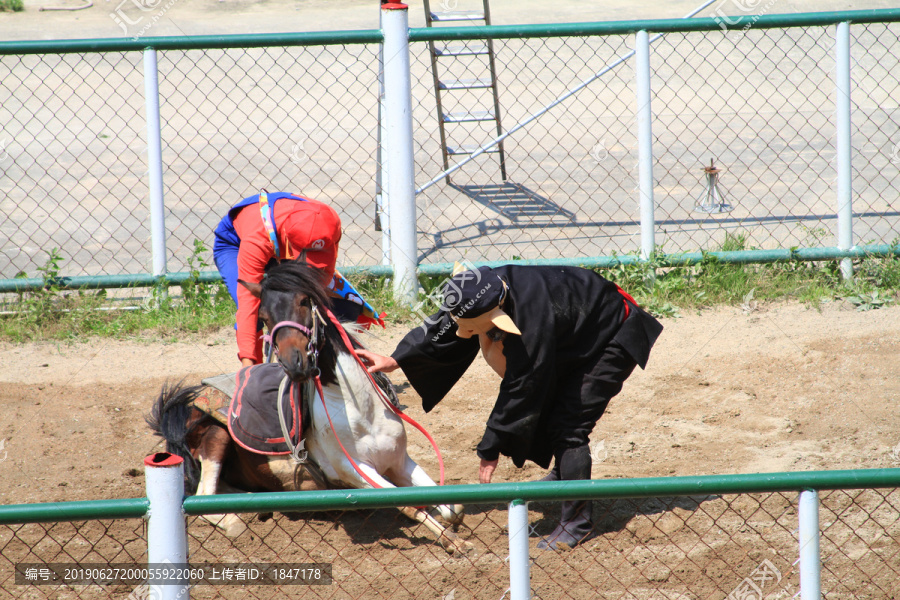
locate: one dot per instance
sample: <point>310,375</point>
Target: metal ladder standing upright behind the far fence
<point>475,54</point>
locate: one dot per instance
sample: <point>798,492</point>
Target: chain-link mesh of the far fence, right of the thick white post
<point>759,103</point>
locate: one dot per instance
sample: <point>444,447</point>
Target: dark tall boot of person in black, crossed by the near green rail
<point>576,522</point>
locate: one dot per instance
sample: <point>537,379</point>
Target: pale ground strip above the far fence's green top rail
<point>204,17</point>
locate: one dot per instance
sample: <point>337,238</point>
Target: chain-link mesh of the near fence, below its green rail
<point>706,547</point>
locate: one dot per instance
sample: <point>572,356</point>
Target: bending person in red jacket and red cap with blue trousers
<point>263,229</point>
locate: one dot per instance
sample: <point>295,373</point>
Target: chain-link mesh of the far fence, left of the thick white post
<point>233,121</point>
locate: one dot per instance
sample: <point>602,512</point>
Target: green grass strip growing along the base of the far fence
<point>664,290</point>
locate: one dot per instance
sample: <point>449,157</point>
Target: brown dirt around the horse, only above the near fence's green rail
<point>783,387</point>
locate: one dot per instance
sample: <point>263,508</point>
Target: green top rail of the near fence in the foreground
<point>464,494</point>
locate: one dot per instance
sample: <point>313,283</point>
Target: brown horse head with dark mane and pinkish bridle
<point>292,305</point>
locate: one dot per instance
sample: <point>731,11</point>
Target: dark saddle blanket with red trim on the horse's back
<point>252,412</point>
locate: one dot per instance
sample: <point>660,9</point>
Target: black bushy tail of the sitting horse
<point>169,418</point>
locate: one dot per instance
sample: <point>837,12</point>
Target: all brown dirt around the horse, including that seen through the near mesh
<point>781,387</point>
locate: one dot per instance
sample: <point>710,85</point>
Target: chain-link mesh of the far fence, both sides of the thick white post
<point>758,101</point>
